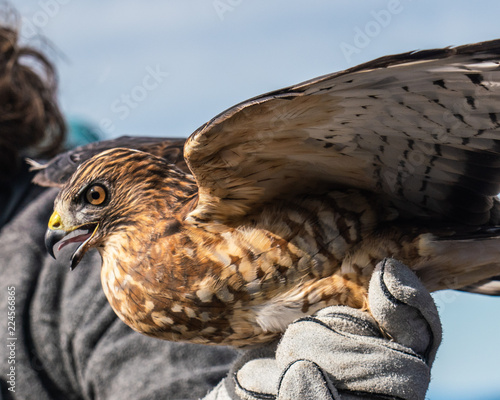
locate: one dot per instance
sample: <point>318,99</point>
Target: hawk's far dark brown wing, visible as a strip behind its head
<point>60,168</point>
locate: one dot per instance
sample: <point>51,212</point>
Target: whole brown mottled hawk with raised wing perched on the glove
<point>284,203</point>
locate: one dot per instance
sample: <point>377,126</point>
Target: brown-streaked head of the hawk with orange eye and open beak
<point>112,191</point>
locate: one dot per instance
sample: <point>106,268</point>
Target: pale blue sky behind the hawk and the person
<point>165,67</point>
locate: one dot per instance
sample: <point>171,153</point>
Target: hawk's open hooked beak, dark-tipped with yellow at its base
<point>60,236</point>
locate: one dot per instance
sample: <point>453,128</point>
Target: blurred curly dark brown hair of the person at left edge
<point>31,123</point>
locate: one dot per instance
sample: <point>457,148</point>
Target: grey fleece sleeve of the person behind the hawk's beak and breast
<point>71,345</point>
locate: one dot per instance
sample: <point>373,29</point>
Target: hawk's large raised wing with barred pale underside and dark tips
<point>422,128</point>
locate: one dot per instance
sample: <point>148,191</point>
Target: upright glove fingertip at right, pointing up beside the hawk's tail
<point>404,308</point>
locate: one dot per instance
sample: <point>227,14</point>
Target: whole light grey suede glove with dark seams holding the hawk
<point>342,353</point>
